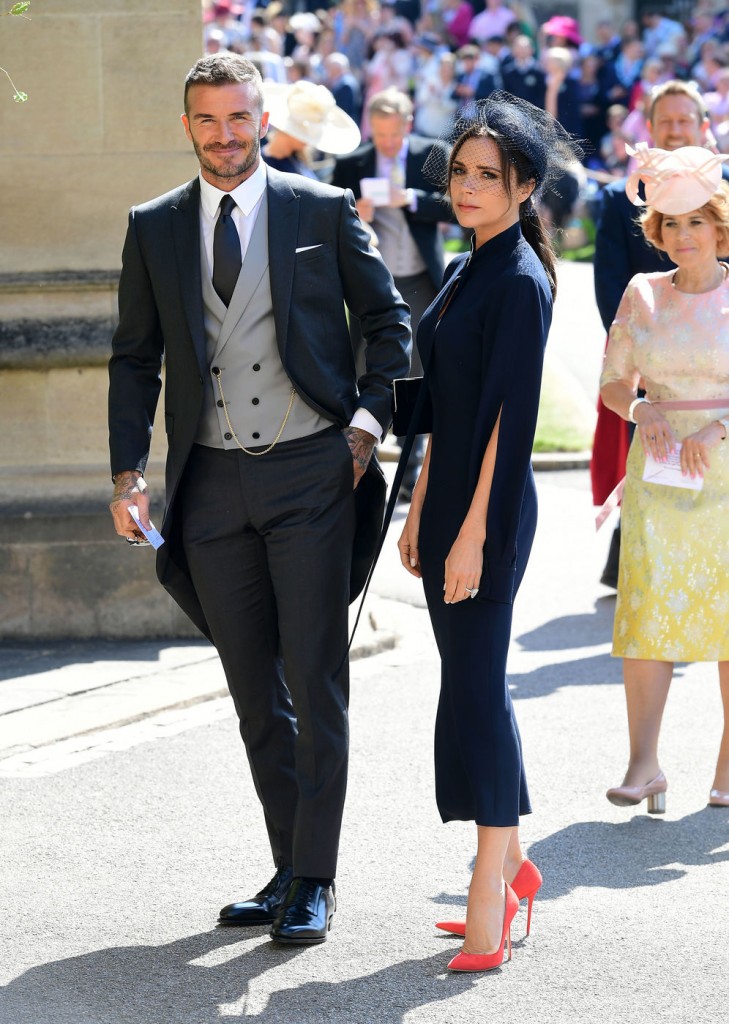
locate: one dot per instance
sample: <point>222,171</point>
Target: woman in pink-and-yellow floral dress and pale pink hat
<point>672,335</point>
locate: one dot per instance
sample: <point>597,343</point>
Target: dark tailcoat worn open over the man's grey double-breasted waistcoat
<point>161,314</point>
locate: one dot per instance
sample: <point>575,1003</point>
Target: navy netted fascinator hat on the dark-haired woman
<point>521,130</point>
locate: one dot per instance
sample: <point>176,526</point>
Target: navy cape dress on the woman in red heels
<point>485,356</point>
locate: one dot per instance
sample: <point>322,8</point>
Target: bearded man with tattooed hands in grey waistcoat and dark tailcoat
<point>240,279</point>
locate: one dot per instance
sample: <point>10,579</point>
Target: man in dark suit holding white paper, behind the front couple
<point>407,227</point>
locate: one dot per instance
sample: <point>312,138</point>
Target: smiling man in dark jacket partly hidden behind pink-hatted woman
<point>677,118</point>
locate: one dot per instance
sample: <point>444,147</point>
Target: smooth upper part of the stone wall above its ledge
<point>101,131</point>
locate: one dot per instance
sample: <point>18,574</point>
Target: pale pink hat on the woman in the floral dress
<point>676,182</point>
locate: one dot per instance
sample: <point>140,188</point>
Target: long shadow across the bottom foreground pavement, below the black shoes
<point>160,986</point>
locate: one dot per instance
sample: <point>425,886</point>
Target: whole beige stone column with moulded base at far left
<point>100,133</point>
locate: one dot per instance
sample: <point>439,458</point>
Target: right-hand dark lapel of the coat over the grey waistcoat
<point>284,206</point>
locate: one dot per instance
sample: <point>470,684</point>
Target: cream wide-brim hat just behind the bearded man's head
<point>310,113</point>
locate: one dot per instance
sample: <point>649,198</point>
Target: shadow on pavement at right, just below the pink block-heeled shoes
<point>631,855</point>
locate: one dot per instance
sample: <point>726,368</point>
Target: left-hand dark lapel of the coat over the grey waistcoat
<point>186,231</point>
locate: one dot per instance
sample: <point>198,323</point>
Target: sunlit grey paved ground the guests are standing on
<point>130,819</point>
